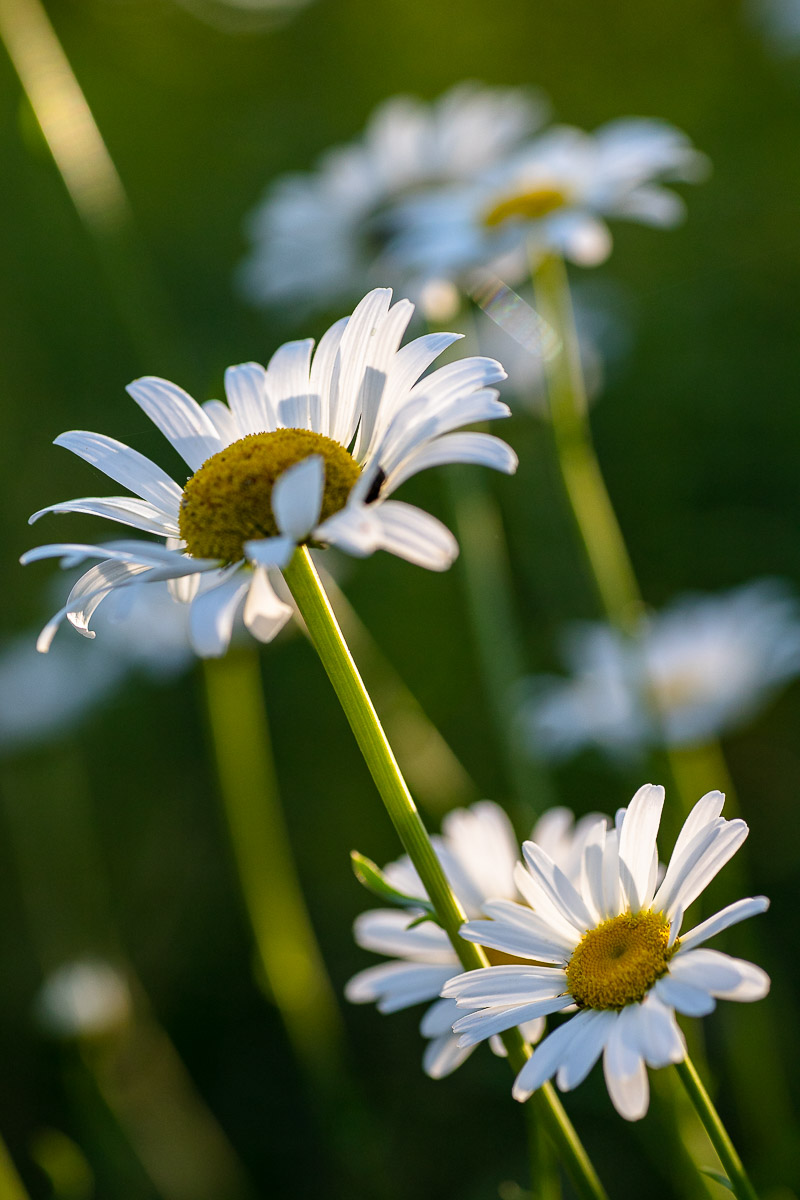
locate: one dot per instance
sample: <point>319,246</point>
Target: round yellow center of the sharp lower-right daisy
<point>619,962</point>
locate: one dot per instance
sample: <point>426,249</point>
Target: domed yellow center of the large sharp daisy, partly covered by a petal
<point>228,501</point>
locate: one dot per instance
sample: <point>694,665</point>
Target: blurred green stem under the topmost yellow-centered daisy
<point>594,514</point>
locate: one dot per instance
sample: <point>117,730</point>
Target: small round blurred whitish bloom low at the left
<point>85,999</point>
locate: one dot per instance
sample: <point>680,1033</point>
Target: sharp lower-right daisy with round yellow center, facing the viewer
<point>616,950</point>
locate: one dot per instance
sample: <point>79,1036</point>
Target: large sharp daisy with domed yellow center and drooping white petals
<point>306,451</point>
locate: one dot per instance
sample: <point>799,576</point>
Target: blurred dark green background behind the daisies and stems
<point>697,431</point>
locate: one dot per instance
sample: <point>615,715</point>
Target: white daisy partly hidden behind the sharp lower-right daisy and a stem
<point>478,850</point>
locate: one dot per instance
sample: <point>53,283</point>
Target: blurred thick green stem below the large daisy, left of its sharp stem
<point>288,953</point>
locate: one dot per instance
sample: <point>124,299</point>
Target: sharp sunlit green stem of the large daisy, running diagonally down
<point>328,641</point>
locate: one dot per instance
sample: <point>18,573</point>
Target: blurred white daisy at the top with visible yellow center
<point>555,195</point>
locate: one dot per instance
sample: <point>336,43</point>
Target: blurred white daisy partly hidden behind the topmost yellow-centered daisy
<point>318,237</point>
